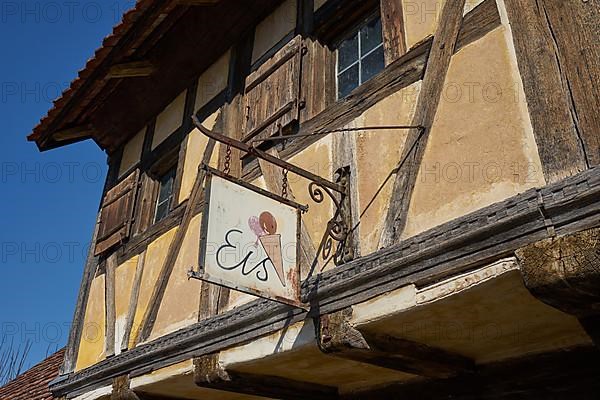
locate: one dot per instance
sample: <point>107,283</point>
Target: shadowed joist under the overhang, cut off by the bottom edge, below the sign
<point>209,373</point>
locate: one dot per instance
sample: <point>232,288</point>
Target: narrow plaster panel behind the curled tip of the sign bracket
<point>196,143</point>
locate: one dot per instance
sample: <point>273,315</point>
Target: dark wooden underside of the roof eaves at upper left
<point>157,51</point>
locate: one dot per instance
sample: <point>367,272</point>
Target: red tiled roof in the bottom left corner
<point>33,384</point>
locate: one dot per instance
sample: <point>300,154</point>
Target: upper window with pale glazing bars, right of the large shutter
<point>359,57</point>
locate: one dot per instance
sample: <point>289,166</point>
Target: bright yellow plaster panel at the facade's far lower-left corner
<point>91,347</point>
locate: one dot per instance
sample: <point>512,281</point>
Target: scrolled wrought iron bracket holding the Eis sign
<point>338,228</point>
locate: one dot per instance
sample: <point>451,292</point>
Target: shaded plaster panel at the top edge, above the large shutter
<point>274,28</point>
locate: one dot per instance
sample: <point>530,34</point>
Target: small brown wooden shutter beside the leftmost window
<point>116,215</point>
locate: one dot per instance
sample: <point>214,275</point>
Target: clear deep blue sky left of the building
<point>48,200</point>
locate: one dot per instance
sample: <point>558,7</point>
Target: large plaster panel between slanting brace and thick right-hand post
<point>481,149</point>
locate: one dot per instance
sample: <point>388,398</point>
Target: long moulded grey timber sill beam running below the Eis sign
<point>468,242</point>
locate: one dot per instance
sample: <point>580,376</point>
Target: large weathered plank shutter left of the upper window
<point>272,93</point>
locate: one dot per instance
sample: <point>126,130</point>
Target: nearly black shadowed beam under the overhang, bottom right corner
<point>560,375</point>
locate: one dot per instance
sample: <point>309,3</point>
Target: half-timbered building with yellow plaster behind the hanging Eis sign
<point>447,153</point>
